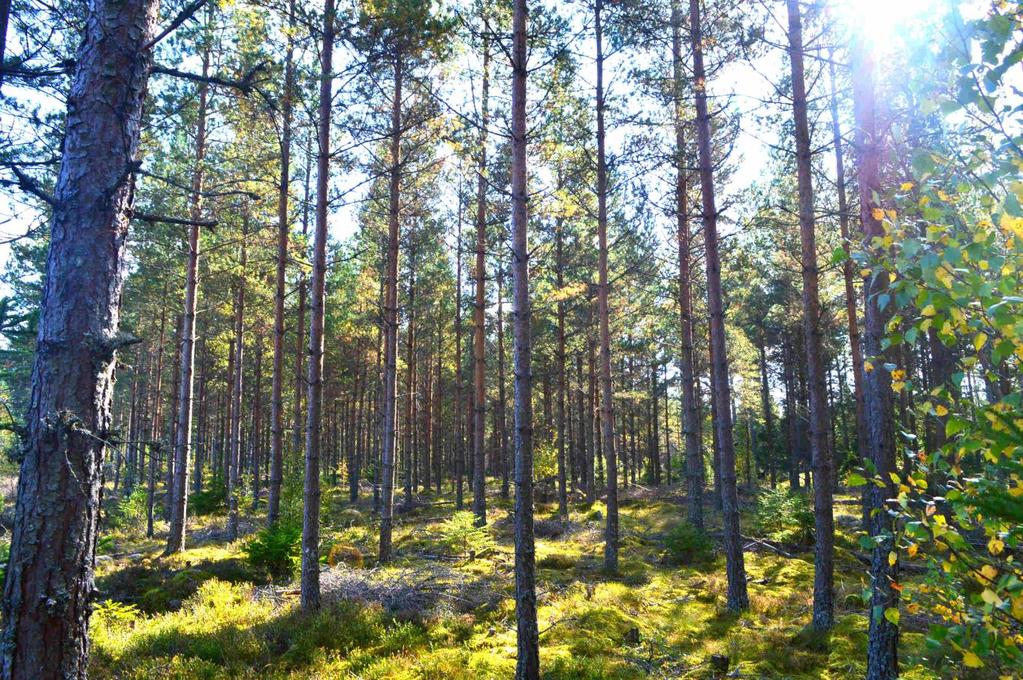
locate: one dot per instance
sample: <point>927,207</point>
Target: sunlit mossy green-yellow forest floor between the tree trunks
<point>439,612</point>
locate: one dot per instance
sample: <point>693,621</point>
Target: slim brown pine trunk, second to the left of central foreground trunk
<point>390,416</point>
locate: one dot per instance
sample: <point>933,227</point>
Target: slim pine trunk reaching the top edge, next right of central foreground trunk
<point>607,396</point>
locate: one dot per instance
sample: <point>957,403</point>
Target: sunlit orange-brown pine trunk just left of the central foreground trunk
<point>479,310</point>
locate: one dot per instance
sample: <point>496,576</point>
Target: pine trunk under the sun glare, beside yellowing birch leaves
<point>882,646</point>
